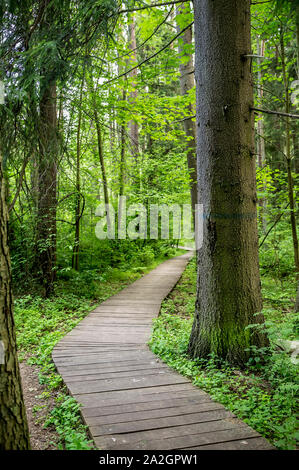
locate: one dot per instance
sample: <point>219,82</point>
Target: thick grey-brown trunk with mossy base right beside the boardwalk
<point>228,291</point>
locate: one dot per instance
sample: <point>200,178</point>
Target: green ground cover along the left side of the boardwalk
<point>41,323</point>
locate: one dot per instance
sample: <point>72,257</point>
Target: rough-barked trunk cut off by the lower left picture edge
<point>14,433</point>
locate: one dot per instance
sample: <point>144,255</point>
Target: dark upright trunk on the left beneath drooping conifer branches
<point>47,181</point>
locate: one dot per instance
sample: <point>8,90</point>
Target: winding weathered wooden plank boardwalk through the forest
<point>131,399</point>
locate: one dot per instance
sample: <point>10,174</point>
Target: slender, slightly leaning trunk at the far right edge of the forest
<point>288,154</point>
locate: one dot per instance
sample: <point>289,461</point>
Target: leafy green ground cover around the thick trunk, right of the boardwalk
<point>264,395</point>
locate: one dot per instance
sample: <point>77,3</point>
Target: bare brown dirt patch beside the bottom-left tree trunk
<point>41,438</point>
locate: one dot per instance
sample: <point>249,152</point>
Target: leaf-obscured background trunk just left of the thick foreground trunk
<point>186,84</point>
